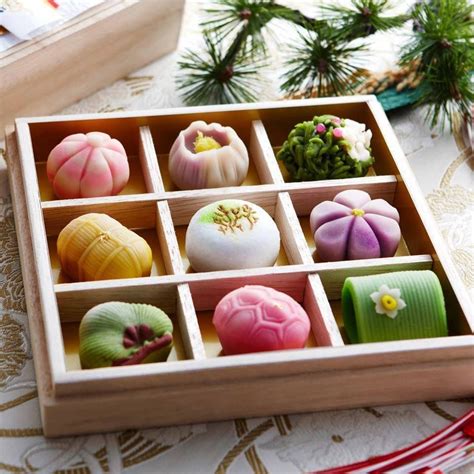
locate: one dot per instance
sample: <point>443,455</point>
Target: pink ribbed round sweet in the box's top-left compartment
<point>88,165</point>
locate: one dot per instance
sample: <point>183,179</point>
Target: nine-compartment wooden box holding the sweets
<point>197,384</point>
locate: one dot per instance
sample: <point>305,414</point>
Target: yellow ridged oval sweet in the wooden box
<point>97,247</point>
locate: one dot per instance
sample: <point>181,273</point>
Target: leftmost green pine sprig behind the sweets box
<point>218,76</point>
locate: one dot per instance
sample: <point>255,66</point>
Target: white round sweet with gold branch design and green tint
<point>231,234</point>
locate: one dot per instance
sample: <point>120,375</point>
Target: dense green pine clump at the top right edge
<point>443,46</point>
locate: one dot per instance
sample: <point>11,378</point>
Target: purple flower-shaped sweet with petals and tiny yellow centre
<point>353,226</point>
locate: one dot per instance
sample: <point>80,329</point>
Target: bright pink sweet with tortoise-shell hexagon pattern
<point>258,318</point>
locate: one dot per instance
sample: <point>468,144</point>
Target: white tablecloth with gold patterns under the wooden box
<point>280,444</point>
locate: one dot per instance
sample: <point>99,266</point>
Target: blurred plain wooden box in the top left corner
<point>84,54</point>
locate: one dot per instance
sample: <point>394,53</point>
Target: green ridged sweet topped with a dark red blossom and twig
<point>117,334</point>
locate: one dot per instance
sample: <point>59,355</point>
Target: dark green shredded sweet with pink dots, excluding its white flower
<point>315,151</point>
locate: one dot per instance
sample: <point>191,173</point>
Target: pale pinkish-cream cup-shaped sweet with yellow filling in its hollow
<point>208,156</point>
